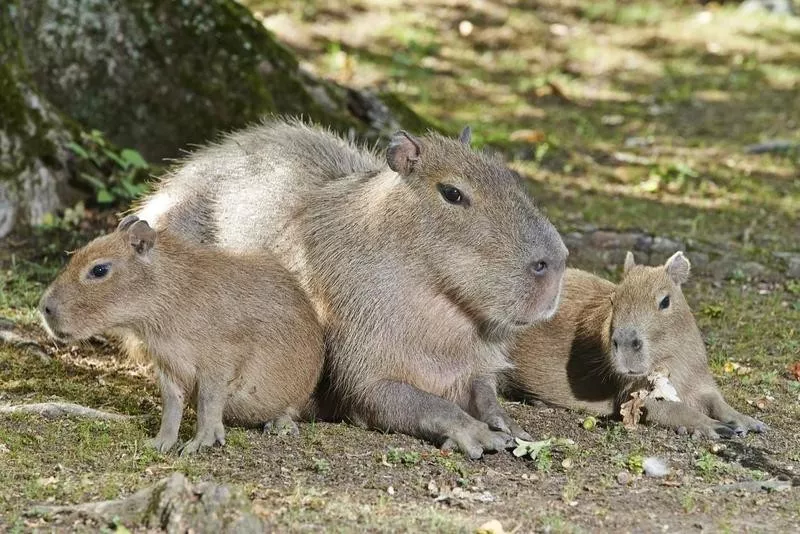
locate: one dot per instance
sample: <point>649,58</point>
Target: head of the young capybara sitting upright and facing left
<point>106,284</point>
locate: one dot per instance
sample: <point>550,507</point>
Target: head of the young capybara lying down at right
<point>650,319</point>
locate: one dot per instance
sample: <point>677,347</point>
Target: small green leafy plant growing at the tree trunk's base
<point>115,175</point>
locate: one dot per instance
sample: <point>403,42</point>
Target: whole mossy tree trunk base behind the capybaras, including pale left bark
<point>154,75</point>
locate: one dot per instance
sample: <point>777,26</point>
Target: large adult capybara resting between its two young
<point>420,265</point>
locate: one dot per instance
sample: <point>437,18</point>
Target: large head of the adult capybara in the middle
<point>486,244</point>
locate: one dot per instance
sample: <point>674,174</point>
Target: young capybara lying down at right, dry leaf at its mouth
<point>606,339</point>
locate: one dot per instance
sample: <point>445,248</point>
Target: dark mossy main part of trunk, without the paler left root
<point>160,75</point>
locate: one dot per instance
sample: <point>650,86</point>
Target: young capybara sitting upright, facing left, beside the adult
<point>235,331</point>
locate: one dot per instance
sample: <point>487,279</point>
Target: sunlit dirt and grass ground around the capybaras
<point>628,117</point>
